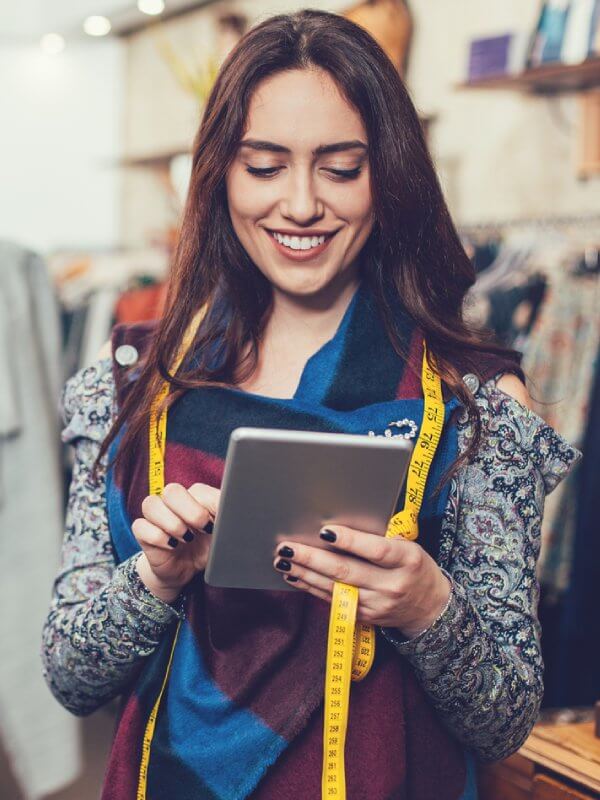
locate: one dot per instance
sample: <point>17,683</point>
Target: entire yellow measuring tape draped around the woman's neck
<point>350,648</point>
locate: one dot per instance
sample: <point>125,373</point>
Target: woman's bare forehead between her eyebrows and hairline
<point>302,109</point>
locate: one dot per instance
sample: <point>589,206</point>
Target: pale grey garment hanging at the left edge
<point>41,740</point>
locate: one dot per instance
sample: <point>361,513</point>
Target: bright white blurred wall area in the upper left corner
<point>61,125</point>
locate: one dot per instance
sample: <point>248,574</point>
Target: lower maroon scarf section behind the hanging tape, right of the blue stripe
<point>395,744</point>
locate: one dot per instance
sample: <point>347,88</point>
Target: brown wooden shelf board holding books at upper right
<point>547,79</point>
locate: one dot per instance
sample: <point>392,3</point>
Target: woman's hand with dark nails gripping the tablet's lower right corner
<point>399,584</point>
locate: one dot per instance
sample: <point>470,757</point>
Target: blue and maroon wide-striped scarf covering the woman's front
<point>242,712</point>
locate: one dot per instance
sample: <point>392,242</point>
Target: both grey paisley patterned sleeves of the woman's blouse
<point>480,662</point>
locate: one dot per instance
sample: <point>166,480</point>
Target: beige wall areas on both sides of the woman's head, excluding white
<point>499,154</point>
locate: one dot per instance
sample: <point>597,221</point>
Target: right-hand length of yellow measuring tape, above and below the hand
<point>351,649</point>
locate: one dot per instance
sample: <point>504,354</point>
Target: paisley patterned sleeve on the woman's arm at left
<point>102,620</point>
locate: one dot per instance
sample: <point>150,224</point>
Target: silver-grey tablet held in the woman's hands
<point>287,484</point>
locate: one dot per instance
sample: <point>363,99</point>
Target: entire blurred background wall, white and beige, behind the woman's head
<point>499,153</point>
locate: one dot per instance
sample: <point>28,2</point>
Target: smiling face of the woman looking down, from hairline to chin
<point>298,189</point>
